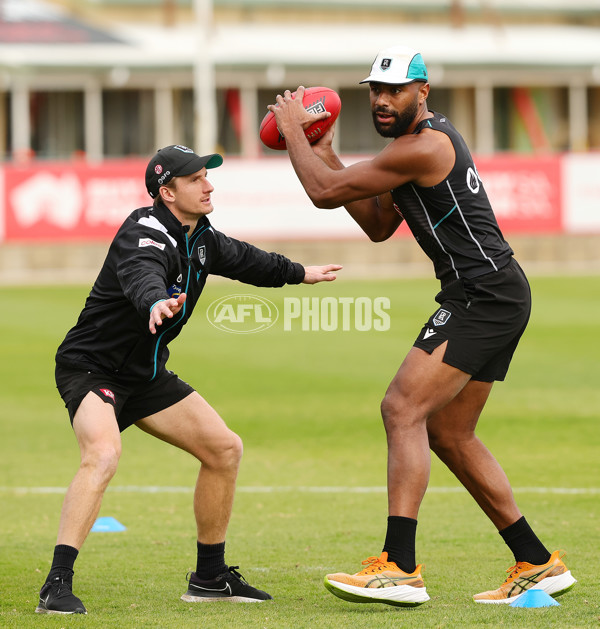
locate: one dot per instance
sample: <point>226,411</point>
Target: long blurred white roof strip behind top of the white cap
<point>266,44</point>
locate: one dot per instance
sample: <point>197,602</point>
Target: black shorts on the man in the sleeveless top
<point>482,319</point>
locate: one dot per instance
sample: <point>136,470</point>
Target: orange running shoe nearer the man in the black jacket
<point>380,582</point>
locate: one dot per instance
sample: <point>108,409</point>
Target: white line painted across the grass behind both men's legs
<point>160,489</point>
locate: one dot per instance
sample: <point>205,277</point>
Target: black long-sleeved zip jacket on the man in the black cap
<point>152,258</point>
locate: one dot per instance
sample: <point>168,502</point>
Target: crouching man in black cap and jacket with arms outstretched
<point>111,368</point>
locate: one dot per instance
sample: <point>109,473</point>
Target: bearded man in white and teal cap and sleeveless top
<point>426,177</point>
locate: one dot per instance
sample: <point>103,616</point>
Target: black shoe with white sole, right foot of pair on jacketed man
<point>229,586</point>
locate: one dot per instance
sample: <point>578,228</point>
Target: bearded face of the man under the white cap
<point>394,107</point>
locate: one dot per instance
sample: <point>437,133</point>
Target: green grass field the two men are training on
<point>311,495</point>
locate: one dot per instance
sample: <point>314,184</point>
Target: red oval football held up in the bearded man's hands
<point>316,100</point>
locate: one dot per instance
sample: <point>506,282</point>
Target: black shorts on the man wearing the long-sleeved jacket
<point>131,401</point>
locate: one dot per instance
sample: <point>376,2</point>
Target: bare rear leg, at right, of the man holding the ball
<point>452,437</point>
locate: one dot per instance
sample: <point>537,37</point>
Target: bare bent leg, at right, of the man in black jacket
<point>194,426</point>
